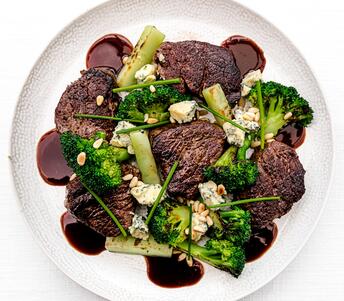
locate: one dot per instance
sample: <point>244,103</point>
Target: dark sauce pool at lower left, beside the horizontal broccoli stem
<point>81,237</point>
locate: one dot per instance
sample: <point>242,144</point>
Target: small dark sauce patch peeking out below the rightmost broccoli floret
<point>292,135</point>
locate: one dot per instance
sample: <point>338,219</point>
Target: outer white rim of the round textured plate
<point>95,289</point>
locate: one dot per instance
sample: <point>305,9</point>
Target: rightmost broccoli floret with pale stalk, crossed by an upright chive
<point>279,100</point>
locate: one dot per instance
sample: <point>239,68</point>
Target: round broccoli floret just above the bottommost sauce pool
<point>169,222</point>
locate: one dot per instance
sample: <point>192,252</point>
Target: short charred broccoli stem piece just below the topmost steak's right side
<point>217,101</point>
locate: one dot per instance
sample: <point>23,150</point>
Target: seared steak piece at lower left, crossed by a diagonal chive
<point>86,209</point>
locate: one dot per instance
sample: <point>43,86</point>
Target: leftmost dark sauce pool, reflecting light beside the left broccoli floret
<point>51,164</point>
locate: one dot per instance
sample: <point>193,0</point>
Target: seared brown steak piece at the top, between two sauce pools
<point>200,65</point>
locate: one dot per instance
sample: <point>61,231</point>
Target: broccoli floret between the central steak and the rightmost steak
<point>234,176</point>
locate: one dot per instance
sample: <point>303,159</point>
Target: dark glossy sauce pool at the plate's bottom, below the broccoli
<point>171,273</point>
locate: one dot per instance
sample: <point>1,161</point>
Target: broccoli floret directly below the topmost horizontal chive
<point>140,102</point>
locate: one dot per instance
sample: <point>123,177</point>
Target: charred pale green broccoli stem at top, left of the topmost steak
<point>143,53</point>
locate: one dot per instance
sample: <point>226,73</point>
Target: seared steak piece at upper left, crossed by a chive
<point>80,97</point>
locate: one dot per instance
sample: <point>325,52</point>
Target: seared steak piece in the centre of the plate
<point>196,145</point>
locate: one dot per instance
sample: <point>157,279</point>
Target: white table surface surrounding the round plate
<point>316,27</point>
